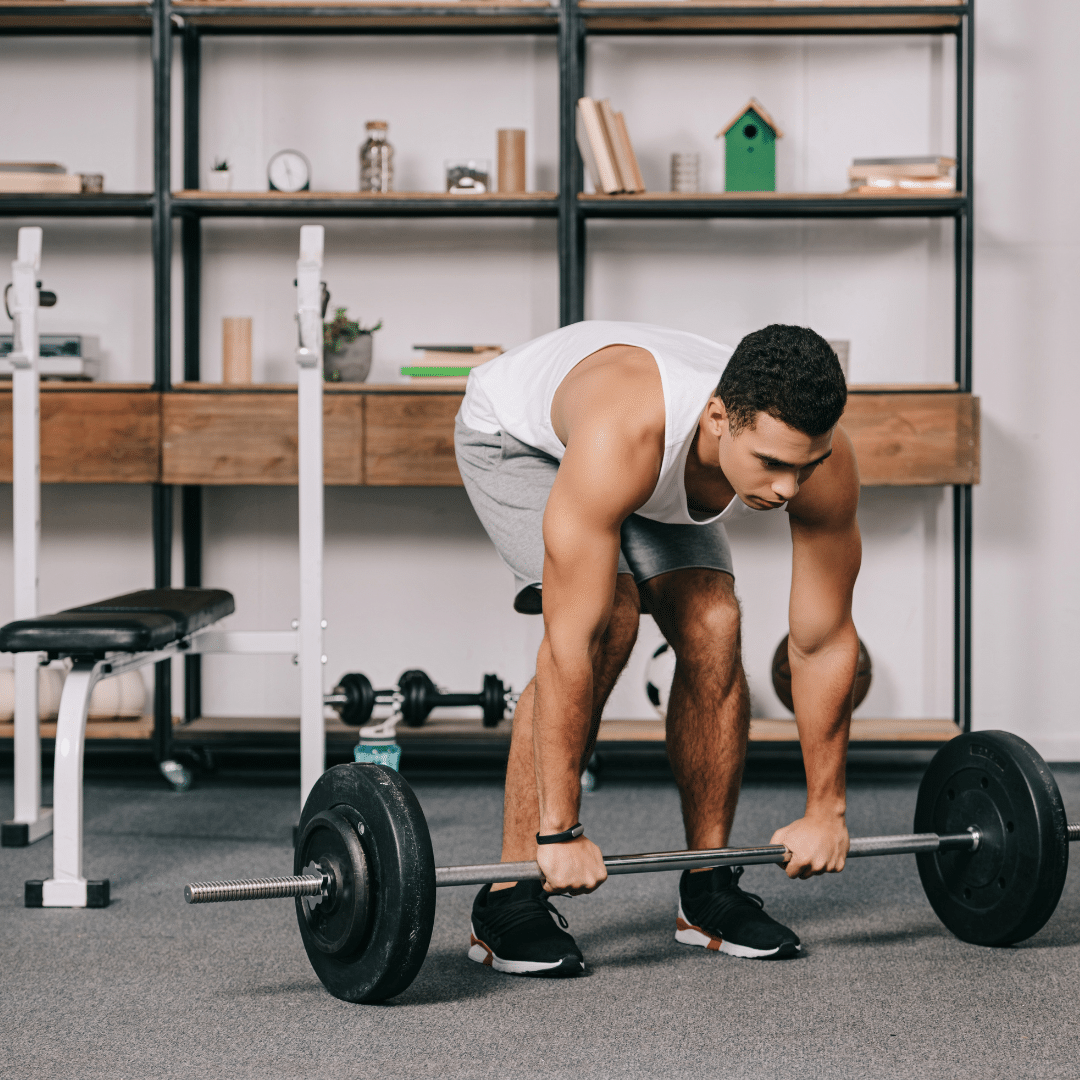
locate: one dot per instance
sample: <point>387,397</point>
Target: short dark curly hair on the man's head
<point>789,372</point>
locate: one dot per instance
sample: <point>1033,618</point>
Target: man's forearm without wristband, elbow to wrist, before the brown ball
<point>822,685</point>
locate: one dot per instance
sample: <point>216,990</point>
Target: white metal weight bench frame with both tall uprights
<point>67,887</point>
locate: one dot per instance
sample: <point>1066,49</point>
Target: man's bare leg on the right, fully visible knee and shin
<point>709,708</point>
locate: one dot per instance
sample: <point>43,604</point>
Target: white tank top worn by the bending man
<point>514,395</point>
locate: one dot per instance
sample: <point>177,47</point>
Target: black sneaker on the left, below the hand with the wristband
<point>514,931</point>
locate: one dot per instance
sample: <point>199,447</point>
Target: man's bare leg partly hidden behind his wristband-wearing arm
<point>521,819</point>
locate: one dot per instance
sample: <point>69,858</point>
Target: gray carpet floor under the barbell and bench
<point>152,988</point>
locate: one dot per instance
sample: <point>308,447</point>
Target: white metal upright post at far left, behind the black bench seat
<point>32,820</point>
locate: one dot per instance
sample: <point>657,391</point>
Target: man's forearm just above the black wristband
<point>561,721</point>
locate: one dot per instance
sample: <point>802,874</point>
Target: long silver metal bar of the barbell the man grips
<point>275,888</point>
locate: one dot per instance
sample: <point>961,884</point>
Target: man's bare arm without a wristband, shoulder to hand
<point>823,651</point>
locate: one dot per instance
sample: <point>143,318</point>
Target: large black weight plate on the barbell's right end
<point>1006,890</point>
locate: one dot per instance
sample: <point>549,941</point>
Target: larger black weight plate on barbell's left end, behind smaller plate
<point>401,871</point>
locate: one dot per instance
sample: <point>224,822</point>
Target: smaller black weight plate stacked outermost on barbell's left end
<point>331,844</point>
